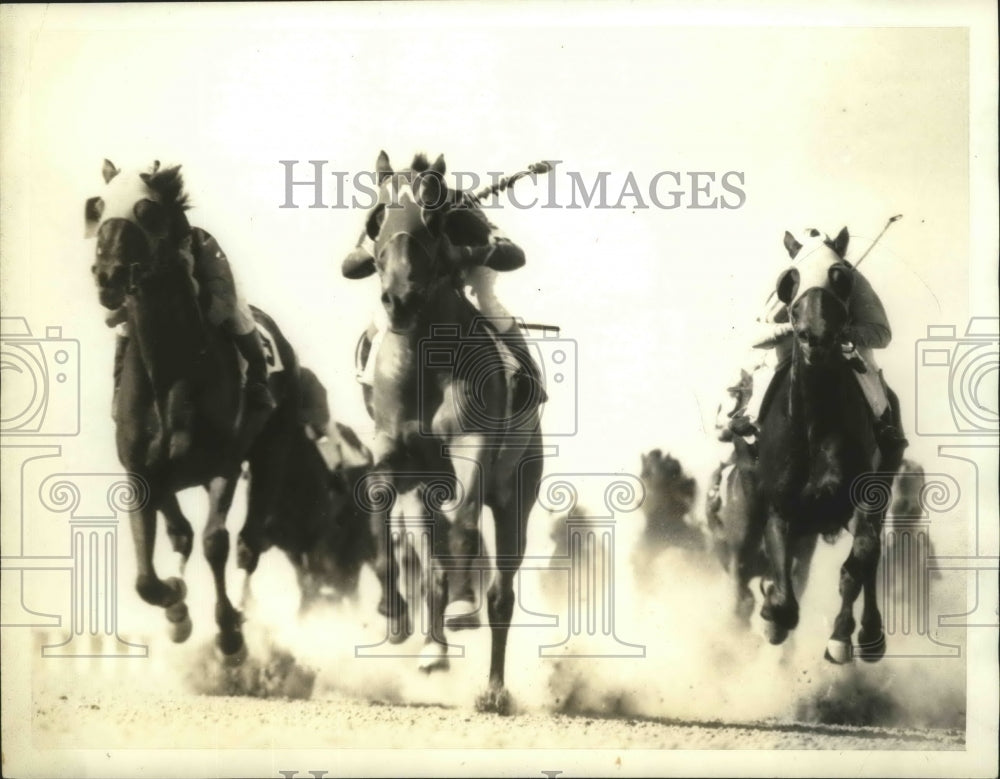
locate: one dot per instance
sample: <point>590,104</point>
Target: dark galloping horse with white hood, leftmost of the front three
<point>179,417</point>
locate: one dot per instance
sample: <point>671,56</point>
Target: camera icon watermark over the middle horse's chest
<point>532,365</point>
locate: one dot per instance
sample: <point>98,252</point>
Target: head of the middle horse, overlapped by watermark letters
<point>418,227</point>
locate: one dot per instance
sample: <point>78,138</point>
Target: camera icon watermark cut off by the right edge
<point>962,369</point>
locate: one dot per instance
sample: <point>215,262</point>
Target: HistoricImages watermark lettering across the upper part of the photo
<point>312,184</point>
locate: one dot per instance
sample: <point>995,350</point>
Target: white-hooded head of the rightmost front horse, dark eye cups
<point>816,291</point>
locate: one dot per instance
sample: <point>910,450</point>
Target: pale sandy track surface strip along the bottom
<point>116,719</point>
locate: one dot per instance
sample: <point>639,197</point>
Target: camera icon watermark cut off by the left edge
<point>41,381</point>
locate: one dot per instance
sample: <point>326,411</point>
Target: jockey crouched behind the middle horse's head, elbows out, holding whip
<point>477,282</point>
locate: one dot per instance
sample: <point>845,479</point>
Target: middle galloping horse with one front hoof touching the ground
<point>441,401</point>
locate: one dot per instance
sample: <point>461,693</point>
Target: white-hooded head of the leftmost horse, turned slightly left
<point>139,222</point>
